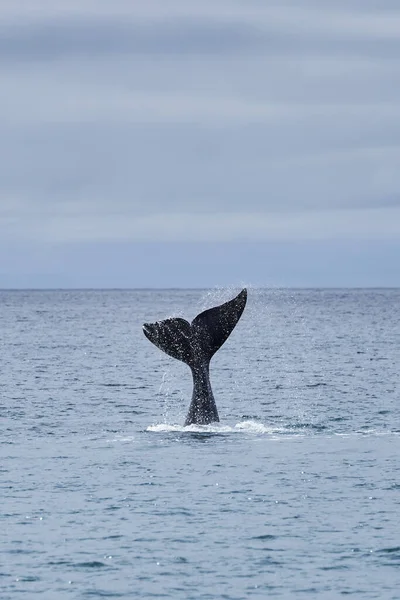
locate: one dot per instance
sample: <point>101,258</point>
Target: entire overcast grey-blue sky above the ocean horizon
<point>199,143</point>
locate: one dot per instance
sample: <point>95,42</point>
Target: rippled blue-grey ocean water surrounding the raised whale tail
<point>295,494</point>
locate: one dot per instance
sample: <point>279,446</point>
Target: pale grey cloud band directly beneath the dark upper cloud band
<point>195,91</point>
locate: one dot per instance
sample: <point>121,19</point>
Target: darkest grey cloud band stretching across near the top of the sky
<point>272,32</point>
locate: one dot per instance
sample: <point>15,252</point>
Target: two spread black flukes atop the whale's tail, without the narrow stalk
<point>200,340</point>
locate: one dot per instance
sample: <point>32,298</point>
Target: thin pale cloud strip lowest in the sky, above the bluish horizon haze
<point>208,227</point>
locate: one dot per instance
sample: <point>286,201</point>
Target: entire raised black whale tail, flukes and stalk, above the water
<point>195,344</point>
